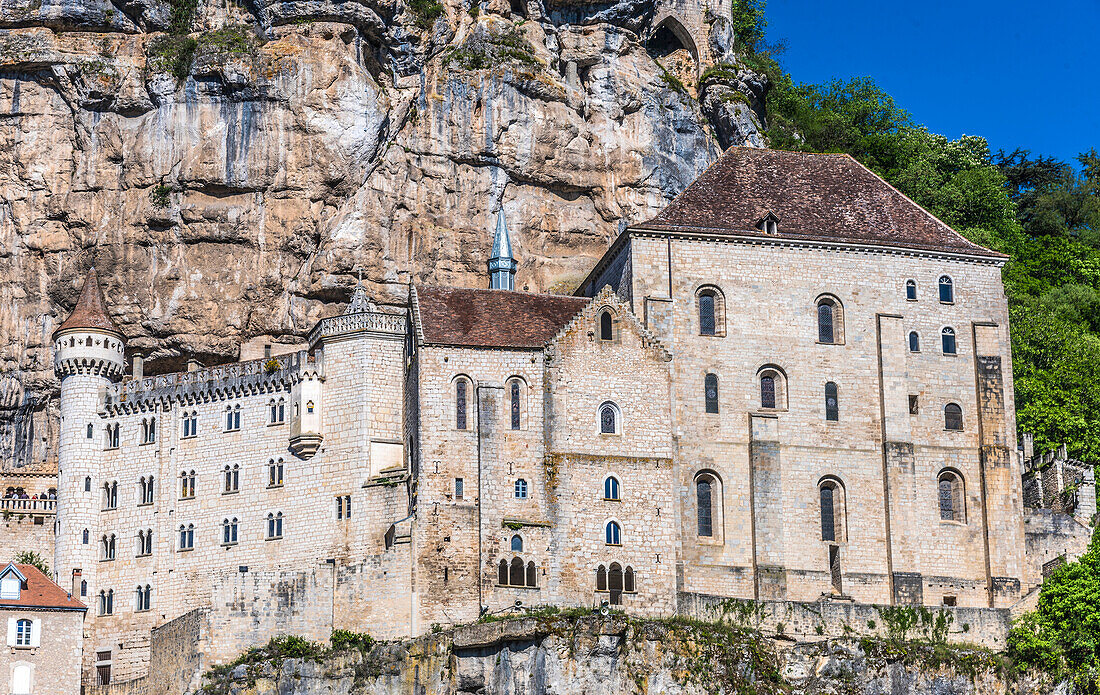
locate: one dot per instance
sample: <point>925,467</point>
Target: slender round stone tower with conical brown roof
<point>89,356</point>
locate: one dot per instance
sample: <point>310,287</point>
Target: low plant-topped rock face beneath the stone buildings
<point>615,657</point>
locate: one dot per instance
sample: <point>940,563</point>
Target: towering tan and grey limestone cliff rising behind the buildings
<point>230,167</point>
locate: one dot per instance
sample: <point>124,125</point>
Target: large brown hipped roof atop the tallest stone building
<point>817,197</point>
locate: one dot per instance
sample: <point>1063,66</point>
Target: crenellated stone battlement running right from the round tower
<point>219,383</point>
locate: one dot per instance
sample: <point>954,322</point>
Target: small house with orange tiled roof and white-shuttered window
<point>43,624</point>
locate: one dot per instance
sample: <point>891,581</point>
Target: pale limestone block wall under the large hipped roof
<point>768,317</point>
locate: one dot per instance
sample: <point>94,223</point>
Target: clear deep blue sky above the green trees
<point>1020,74</point>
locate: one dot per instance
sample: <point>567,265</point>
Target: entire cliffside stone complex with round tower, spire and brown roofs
<point>793,384</point>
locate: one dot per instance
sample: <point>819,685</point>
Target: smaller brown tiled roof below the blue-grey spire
<point>492,318</point>
